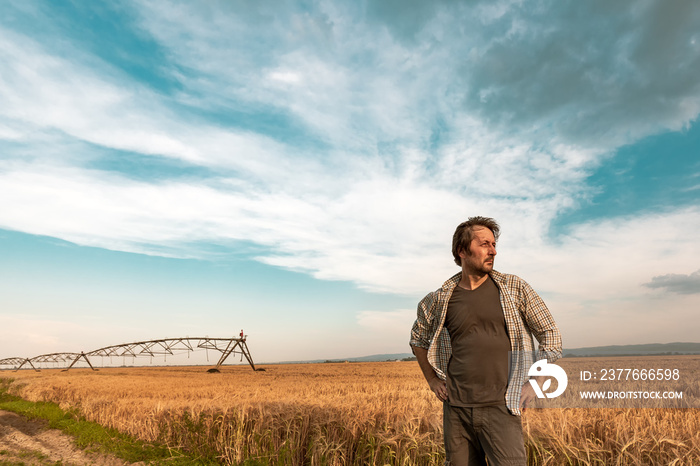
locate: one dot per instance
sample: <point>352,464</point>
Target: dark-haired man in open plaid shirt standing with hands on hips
<point>473,342</point>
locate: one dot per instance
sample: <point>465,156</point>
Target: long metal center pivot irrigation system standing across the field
<point>166,346</point>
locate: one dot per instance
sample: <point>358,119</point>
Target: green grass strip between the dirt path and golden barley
<point>92,436</point>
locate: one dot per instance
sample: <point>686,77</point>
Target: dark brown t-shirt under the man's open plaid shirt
<point>477,374</point>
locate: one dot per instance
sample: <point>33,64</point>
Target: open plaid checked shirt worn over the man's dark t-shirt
<point>525,314</point>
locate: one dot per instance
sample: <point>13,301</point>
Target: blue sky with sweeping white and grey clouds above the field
<point>297,169</point>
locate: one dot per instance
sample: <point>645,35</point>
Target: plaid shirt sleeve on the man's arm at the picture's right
<point>542,325</point>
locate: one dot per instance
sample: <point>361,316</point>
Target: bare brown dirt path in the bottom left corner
<point>30,442</point>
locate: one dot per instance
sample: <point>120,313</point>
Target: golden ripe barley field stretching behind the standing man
<point>348,414</point>
